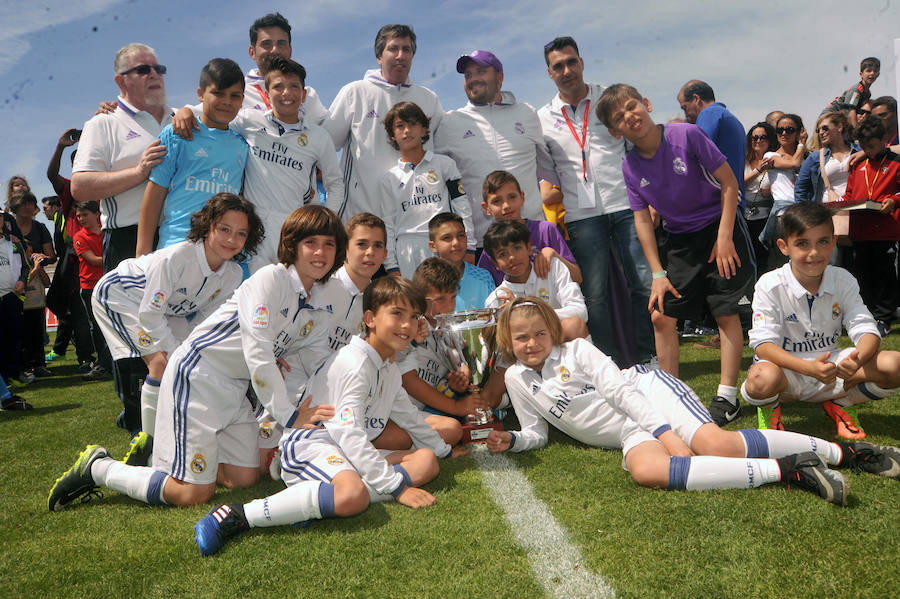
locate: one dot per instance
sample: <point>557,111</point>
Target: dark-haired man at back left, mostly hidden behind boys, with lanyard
<point>271,34</point>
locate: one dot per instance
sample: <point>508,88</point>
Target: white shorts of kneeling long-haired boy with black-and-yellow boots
<point>203,419</point>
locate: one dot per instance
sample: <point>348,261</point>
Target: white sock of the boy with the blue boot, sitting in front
<point>297,503</point>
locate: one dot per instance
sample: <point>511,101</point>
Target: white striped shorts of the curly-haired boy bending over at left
<point>115,303</point>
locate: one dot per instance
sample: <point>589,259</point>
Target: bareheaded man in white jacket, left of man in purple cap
<point>355,118</point>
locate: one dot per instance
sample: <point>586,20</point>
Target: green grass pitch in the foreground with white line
<point>767,542</point>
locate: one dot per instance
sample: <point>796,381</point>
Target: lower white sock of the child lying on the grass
<point>702,473</point>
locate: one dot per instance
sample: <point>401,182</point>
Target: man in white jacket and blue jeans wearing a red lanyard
<point>587,170</point>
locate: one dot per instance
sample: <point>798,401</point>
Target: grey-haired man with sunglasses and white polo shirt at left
<point>116,153</point>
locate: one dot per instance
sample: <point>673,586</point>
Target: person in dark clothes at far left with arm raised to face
<point>63,297</point>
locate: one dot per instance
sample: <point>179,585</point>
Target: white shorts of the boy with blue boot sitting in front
<point>303,458</point>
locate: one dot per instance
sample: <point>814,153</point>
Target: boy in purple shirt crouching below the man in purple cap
<point>503,200</point>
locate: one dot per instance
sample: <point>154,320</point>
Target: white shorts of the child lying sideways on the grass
<point>672,398</point>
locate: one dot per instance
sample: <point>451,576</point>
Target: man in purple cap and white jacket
<point>493,132</point>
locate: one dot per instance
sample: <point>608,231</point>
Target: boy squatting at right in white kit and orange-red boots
<point>798,313</point>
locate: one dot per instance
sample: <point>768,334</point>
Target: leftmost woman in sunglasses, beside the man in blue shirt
<point>758,192</point>
